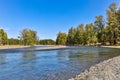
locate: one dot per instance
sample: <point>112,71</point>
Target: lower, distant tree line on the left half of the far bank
<point>26,37</point>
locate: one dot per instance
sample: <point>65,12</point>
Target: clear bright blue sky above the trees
<point>48,17</point>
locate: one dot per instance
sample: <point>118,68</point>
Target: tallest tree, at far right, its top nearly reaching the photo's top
<point>112,23</point>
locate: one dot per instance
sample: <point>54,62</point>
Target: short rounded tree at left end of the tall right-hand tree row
<point>61,39</point>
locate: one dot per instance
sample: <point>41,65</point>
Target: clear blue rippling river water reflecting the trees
<point>51,65</point>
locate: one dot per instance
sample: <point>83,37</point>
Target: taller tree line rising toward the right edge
<point>100,32</point>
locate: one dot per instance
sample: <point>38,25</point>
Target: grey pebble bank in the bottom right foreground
<point>106,70</point>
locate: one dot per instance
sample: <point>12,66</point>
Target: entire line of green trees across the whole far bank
<point>100,32</point>
